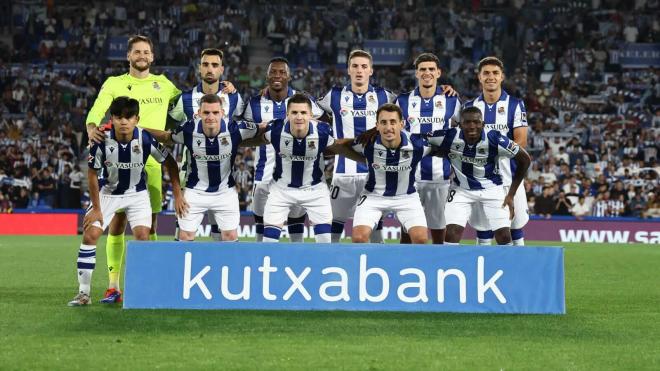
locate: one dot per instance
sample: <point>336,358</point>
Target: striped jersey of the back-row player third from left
<point>262,108</point>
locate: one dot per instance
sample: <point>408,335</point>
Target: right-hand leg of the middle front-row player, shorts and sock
<point>316,203</point>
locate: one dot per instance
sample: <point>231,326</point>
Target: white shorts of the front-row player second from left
<point>223,205</point>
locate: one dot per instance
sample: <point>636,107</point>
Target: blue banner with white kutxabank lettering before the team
<point>416,278</point>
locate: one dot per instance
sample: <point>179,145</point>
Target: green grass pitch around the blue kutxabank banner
<point>612,322</point>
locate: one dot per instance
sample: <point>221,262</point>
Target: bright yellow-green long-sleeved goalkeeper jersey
<point>155,94</point>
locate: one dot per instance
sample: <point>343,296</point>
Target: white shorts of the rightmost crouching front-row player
<point>462,203</point>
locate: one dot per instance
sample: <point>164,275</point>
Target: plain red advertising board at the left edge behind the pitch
<point>39,224</point>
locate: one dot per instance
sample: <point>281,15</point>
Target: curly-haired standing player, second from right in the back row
<point>425,110</point>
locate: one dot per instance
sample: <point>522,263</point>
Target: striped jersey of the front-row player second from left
<point>211,160</point>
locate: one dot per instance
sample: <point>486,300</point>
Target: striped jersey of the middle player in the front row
<point>299,162</point>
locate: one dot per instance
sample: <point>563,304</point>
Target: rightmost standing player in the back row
<point>507,115</point>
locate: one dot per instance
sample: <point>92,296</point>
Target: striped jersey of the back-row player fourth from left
<point>352,114</point>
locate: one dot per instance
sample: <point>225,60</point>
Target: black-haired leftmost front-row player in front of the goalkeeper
<point>120,158</point>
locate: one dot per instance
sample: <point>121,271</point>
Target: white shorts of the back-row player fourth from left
<point>345,192</point>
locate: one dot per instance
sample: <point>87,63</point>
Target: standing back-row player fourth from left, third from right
<point>353,110</point>
